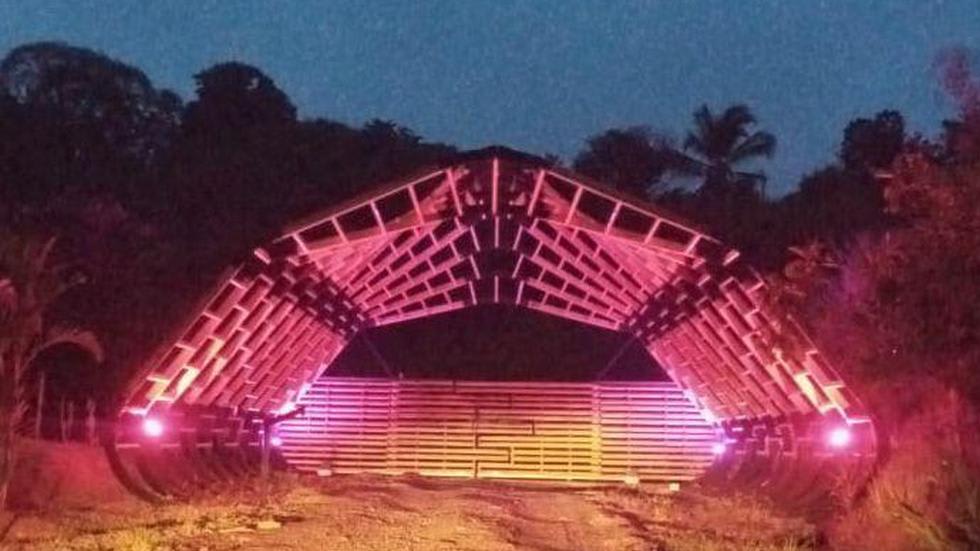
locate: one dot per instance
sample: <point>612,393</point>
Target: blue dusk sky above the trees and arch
<point>542,76</point>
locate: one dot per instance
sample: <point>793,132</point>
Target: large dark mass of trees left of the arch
<point>152,196</point>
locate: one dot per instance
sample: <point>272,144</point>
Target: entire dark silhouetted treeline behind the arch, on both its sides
<point>153,194</point>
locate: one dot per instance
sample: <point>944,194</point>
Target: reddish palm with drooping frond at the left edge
<point>29,285</point>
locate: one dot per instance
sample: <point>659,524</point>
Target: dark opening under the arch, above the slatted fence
<point>497,343</point>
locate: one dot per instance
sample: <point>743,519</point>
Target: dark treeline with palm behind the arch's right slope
<point>714,178</point>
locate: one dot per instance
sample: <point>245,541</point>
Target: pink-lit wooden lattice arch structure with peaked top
<point>497,226</point>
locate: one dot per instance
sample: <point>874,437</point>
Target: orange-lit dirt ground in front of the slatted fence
<point>412,513</point>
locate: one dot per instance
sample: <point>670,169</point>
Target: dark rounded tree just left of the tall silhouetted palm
<point>633,160</point>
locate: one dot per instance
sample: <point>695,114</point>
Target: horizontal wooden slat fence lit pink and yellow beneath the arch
<point>548,431</point>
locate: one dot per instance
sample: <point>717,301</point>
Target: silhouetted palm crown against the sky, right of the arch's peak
<point>718,145</point>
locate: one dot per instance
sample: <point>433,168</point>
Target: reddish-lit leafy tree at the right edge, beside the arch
<point>905,301</point>
